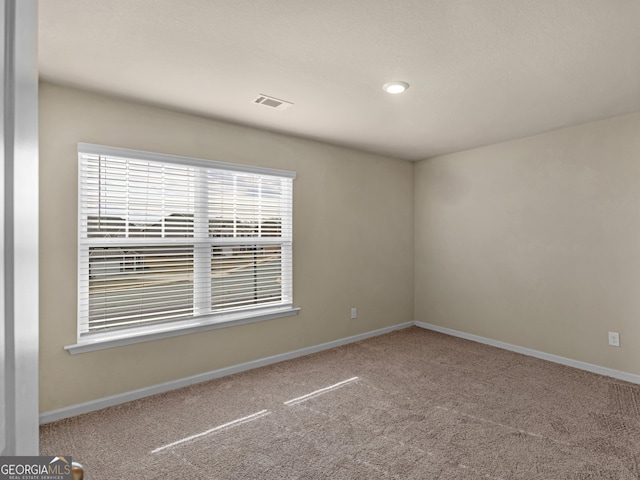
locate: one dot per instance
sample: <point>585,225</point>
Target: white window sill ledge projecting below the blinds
<point>101,341</point>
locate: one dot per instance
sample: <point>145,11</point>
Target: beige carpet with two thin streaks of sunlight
<point>423,406</point>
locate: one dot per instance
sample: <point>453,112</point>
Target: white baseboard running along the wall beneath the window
<point>120,398</point>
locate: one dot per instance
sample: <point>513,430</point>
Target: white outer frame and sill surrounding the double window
<point>89,341</point>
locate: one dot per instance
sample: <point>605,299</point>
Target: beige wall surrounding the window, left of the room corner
<point>353,244</point>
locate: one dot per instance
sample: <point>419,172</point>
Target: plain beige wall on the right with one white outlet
<point>536,242</point>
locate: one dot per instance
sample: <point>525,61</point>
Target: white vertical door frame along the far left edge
<point>19,228</point>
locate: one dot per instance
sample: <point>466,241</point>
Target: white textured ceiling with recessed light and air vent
<point>481,71</point>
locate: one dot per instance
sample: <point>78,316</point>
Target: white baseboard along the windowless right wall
<point>609,372</point>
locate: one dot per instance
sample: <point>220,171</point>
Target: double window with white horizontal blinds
<point>171,242</point>
